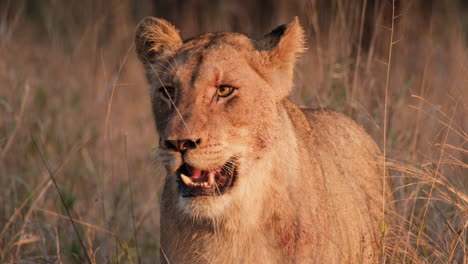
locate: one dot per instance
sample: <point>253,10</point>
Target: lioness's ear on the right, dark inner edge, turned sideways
<point>281,48</point>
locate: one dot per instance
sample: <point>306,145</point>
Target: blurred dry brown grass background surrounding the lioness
<point>74,104</point>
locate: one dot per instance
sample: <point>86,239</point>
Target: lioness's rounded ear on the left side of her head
<point>155,38</point>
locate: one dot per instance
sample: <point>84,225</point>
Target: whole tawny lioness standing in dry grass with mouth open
<point>252,178</point>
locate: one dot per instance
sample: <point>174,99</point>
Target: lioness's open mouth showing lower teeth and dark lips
<point>195,182</point>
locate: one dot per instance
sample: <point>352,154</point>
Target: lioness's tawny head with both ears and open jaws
<point>214,100</point>
